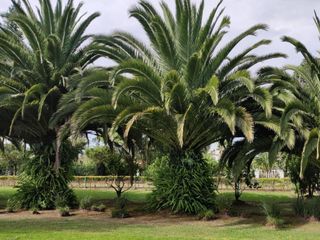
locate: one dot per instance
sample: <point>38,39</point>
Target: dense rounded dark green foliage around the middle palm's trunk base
<point>185,186</point>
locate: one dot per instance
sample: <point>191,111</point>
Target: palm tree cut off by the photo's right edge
<point>302,113</point>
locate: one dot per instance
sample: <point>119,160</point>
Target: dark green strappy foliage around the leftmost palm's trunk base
<point>40,185</point>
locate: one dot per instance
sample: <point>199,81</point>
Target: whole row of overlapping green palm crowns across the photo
<point>182,93</point>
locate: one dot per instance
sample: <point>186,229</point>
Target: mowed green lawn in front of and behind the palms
<point>85,226</point>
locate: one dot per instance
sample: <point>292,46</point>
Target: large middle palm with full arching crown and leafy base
<point>186,90</point>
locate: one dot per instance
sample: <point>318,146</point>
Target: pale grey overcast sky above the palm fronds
<point>284,17</point>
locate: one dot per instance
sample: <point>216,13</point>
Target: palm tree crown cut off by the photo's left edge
<point>38,60</point>
